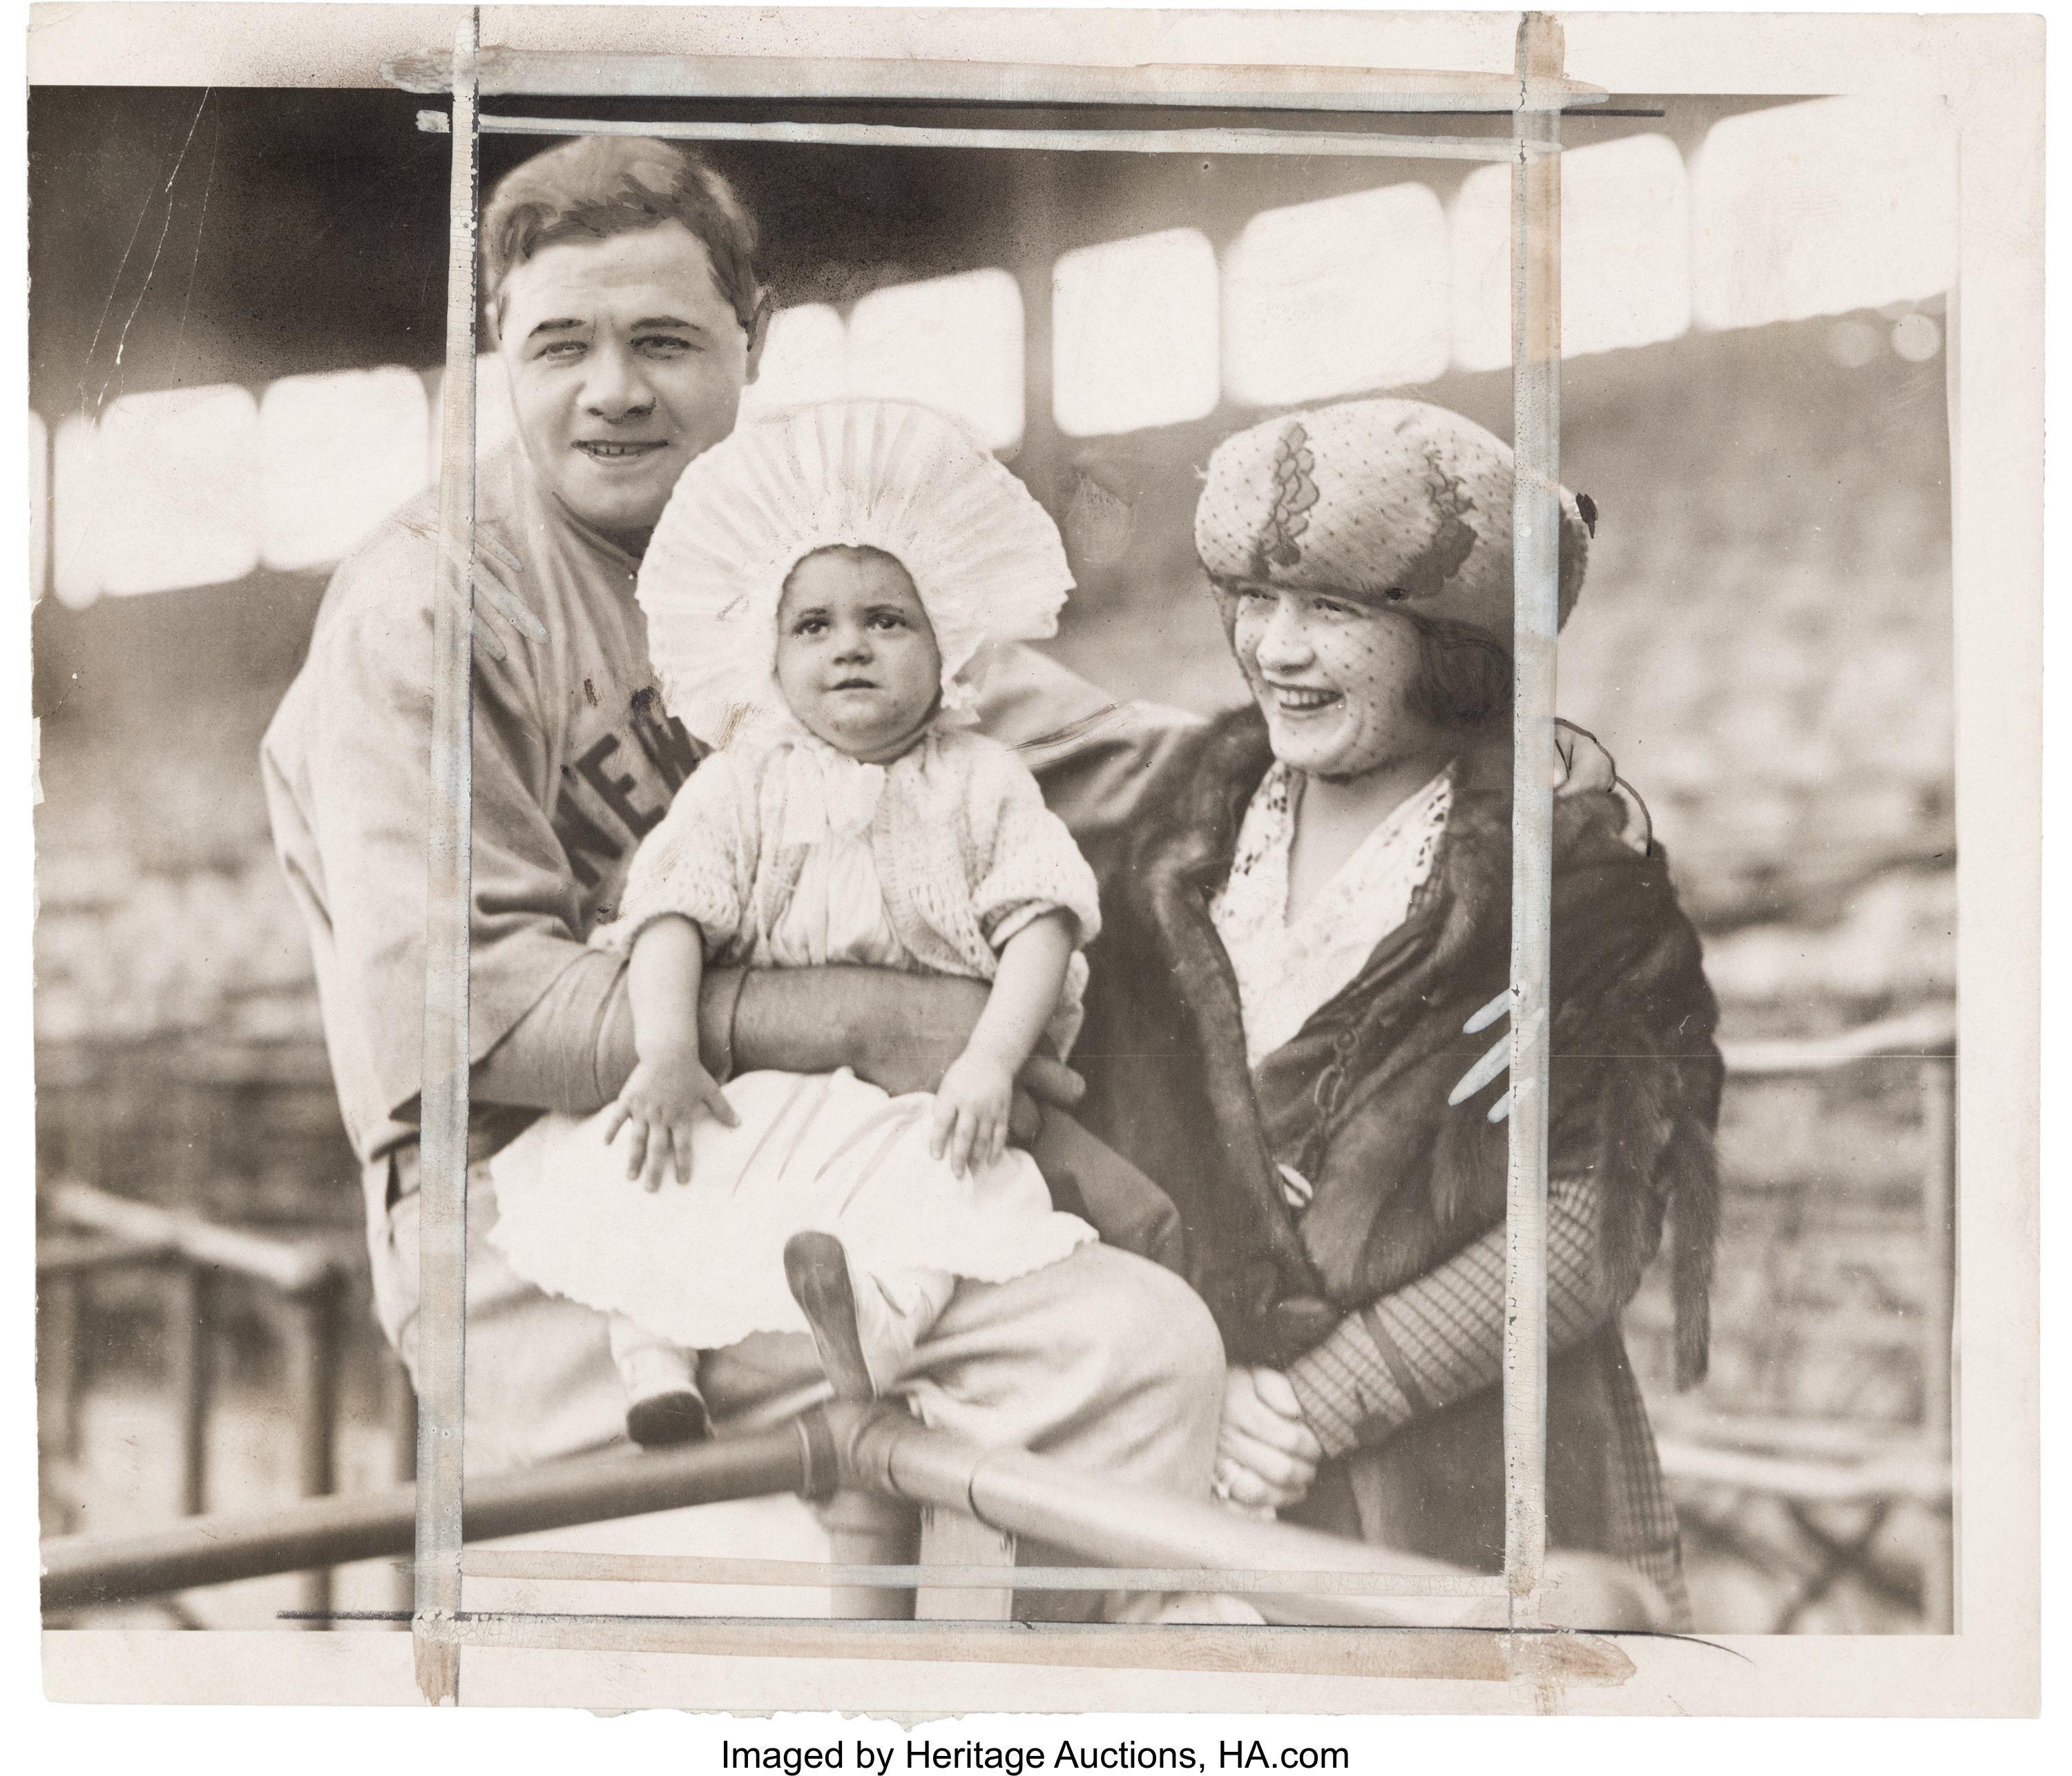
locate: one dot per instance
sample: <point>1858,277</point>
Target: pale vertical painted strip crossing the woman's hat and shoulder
<point>1536,614</point>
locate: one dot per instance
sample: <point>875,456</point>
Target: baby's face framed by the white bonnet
<point>857,658</point>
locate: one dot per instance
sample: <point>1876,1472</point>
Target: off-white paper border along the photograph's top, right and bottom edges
<point>1988,76</point>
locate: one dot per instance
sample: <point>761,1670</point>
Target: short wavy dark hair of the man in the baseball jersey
<point>602,185</point>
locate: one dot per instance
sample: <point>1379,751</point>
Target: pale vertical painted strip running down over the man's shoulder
<point>444,1203</point>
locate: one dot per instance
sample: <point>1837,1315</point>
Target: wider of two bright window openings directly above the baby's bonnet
<point>952,343</point>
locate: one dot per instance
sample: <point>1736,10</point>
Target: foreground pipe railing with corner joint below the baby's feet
<point>977,1503</point>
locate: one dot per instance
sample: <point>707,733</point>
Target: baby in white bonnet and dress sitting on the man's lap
<point>817,596</point>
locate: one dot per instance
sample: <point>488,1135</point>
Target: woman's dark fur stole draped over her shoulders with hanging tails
<point>1358,1099</point>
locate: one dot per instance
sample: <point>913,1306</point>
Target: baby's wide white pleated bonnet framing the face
<point>985,558</point>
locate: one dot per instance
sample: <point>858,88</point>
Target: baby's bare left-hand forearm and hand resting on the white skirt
<point>668,1087</point>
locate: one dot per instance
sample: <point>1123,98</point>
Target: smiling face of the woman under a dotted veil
<point>1333,679</point>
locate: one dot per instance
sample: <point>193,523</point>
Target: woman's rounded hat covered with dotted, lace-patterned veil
<point>1395,500</point>
